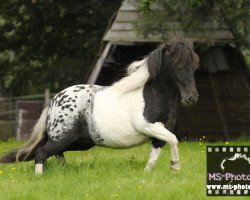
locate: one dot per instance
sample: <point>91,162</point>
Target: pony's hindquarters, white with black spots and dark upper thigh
<point>70,117</point>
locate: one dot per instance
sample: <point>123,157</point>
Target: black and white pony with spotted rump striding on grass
<point>135,109</point>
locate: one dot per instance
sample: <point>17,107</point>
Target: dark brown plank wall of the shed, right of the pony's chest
<point>203,119</point>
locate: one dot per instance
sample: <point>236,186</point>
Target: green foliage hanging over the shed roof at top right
<point>193,14</point>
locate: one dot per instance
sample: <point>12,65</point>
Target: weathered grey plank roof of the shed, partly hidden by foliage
<point>123,29</point>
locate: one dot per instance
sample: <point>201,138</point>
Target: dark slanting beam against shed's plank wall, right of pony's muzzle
<point>219,108</point>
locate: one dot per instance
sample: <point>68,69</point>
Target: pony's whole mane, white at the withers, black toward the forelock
<point>139,72</point>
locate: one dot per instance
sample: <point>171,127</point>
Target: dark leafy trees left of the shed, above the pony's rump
<point>49,43</point>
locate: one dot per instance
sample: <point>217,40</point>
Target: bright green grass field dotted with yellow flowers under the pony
<point>102,173</point>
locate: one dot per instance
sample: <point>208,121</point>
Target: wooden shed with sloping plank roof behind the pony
<point>223,109</point>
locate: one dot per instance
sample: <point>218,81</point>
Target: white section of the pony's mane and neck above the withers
<point>135,80</point>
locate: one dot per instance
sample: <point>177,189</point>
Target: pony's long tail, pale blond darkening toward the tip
<point>27,152</point>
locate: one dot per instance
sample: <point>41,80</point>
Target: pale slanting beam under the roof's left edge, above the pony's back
<point>98,66</point>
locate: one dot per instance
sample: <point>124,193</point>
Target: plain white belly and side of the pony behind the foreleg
<point>115,118</point>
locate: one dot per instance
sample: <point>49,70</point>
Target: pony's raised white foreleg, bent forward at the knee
<point>158,131</point>
